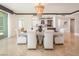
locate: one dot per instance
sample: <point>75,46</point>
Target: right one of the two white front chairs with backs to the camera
<point>48,39</point>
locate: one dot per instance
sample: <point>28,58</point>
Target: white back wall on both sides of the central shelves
<point>28,20</point>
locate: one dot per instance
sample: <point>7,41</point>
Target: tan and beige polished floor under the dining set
<point>9,47</point>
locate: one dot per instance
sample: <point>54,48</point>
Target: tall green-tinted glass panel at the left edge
<point>4,23</point>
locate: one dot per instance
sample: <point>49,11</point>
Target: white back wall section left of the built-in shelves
<point>27,20</point>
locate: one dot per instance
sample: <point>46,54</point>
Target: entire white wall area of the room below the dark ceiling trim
<point>28,22</point>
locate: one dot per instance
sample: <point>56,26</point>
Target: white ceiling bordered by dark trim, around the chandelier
<point>49,7</point>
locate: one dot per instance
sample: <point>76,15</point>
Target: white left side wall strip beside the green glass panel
<point>11,25</point>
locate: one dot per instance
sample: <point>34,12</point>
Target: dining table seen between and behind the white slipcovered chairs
<point>40,36</point>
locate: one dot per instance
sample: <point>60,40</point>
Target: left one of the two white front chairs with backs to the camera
<point>31,41</point>
